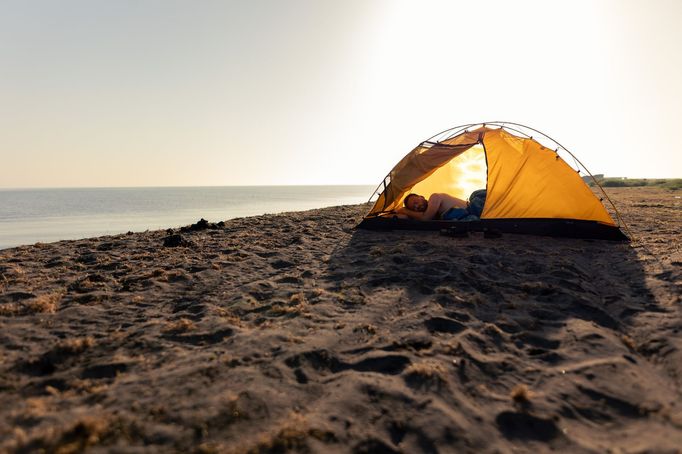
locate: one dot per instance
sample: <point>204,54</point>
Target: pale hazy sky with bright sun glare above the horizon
<point>98,93</point>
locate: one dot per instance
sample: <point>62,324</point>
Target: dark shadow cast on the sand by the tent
<point>517,281</point>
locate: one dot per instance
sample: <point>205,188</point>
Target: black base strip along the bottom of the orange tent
<point>569,228</point>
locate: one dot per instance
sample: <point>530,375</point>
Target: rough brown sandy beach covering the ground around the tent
<point>297,332</point>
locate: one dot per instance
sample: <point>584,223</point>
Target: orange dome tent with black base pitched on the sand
<point>530,187</point>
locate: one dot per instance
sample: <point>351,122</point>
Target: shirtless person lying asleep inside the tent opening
<point>443,207</point>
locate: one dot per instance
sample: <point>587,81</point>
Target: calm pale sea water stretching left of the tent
<point>28,216</point>
